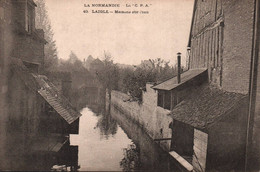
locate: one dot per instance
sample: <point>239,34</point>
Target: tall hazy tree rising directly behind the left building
<point>43,22</point>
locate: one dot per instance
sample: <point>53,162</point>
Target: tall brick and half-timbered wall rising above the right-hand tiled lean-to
<point>221,40</point>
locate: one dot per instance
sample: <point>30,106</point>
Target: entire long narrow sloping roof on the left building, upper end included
<point>46,89</point>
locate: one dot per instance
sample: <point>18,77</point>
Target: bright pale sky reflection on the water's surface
<point>96,150</point>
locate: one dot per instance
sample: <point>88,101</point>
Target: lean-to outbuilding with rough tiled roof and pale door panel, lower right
<point>208,128</point>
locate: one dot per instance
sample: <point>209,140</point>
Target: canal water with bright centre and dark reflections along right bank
<point>108,140</point>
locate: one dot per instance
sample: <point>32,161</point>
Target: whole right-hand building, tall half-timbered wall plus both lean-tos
<point>206,114</point>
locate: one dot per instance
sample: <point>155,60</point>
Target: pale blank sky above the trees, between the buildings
<point>129,38</point>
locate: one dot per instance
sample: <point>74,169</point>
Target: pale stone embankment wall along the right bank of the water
<point>153,119</point>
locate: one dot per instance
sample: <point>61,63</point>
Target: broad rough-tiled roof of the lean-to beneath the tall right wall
<point>205,106</point>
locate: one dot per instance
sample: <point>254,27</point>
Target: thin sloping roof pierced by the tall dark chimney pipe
<point>173,82</point>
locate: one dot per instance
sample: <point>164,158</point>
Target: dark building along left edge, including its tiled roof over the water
<point>34,115</point>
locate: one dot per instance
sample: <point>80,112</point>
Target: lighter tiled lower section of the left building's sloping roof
<point>57,101</point>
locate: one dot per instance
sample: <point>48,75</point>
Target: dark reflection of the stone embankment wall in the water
<point>150,156</point>
